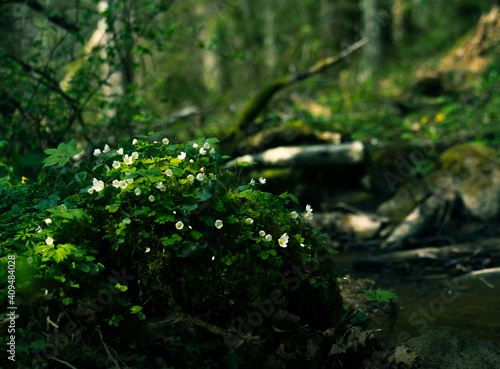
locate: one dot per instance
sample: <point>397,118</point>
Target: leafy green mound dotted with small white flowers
<point>149,226</point>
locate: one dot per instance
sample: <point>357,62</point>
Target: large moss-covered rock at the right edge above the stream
<point>475,175</point>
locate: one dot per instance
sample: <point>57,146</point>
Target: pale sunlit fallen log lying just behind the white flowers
<point>308,156</point>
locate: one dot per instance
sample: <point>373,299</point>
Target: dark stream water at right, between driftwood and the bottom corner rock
<point>423,305</point>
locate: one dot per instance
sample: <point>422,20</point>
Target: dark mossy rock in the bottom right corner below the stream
<point>450,348</point>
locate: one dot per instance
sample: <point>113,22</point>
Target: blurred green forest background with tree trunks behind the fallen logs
<point>101,71</point>
